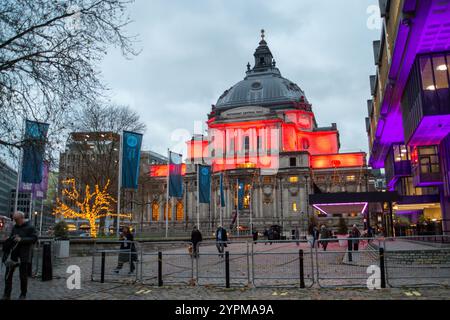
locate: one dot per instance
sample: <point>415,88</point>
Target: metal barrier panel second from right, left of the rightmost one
<point>339,264</point>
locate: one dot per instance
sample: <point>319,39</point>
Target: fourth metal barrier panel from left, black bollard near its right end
<point>283,264</point>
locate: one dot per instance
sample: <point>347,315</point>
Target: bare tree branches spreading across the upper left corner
<point>49,56</point>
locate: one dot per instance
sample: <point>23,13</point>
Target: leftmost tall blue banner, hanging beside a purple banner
<point>33,151</point>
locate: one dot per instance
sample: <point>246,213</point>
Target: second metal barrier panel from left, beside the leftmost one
<point>166,263</point>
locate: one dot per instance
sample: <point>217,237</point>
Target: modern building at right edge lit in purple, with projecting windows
<point>409,114</point>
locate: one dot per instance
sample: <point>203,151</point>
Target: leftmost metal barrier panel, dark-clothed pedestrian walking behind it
<point>112,264</point>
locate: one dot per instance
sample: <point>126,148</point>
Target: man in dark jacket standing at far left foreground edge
<point>23,237</point>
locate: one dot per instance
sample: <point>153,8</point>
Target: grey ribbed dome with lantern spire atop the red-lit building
<point>263,85</point>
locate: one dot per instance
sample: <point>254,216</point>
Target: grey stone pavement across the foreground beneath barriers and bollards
<point>275,265</point>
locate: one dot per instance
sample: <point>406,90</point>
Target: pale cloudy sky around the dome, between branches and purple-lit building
<point>194,50</point>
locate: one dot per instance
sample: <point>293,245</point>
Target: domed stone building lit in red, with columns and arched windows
<point>263,138</point>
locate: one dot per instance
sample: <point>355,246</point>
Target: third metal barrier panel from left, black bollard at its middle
<point>230,268</point>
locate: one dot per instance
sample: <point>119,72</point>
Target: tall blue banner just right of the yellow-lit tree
<point>131,156</point>
